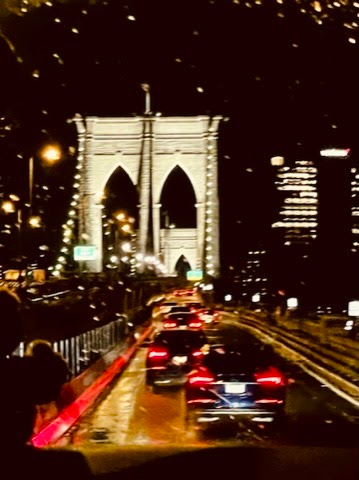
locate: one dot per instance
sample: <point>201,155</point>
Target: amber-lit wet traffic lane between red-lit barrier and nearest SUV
<point>132,413</point>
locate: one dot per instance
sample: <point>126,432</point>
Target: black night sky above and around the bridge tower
<point>283,74</point>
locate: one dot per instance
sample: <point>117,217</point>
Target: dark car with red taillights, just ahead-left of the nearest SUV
<point>173,354</point>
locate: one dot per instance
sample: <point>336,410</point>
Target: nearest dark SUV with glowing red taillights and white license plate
<point>236,381</point>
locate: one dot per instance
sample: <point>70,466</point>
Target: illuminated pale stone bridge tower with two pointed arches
<point>148,148</point>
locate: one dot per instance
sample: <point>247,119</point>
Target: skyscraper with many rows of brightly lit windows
<point>295,230</point>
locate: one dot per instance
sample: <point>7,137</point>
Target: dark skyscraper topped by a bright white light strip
<point>333,250</point>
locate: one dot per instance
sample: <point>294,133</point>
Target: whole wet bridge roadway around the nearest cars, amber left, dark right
<point>129,413</point>
